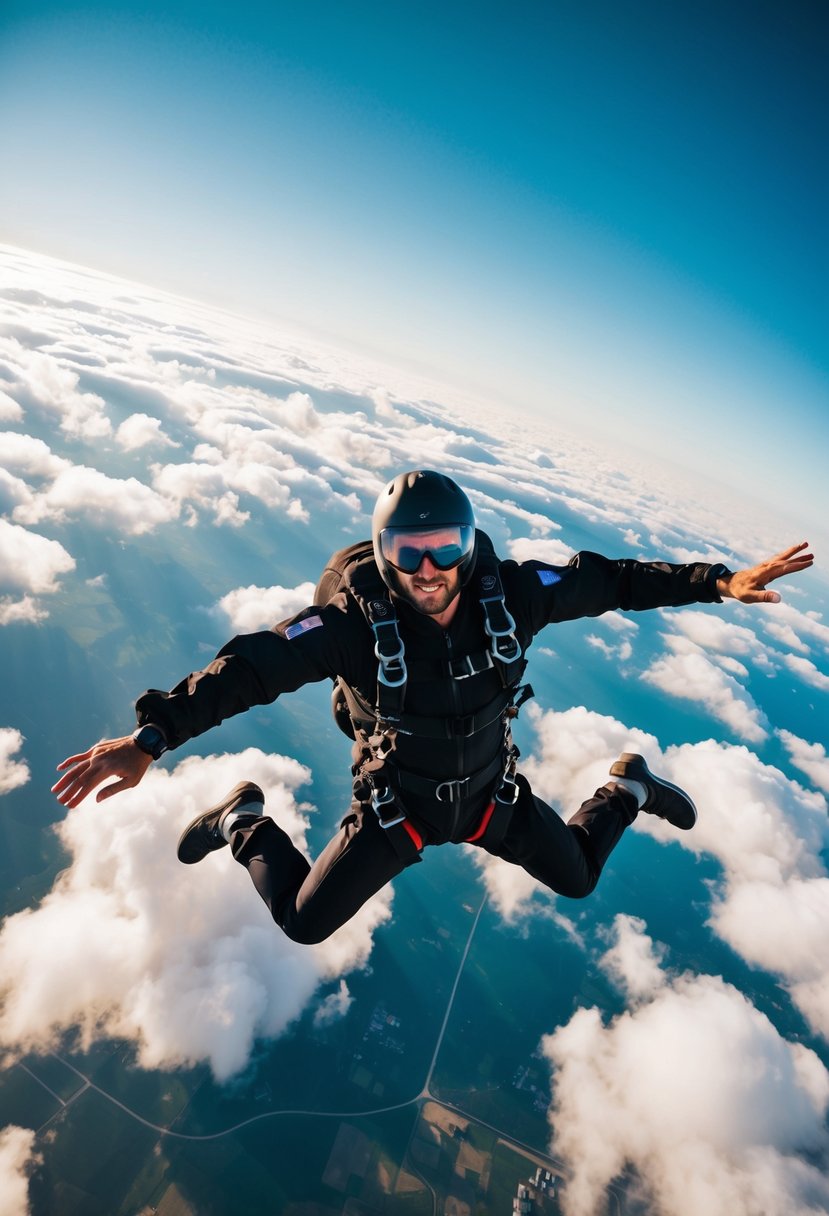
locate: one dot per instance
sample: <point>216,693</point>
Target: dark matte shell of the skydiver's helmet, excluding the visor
<point>421,499</point>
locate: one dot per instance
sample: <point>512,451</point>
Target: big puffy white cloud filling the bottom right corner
<point>698,1093</point>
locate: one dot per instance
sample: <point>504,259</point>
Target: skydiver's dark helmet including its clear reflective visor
<point>424,502</point>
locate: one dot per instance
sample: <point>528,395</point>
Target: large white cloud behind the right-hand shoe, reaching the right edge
<point>766,831</point>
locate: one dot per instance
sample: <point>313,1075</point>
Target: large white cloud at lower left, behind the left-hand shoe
<point>185,962</point>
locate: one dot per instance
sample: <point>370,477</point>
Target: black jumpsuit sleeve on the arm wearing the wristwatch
<point>253,669</point>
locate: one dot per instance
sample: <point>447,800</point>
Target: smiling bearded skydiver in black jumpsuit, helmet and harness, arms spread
<point>439,768</point>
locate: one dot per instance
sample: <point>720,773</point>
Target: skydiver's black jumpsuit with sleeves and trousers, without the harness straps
<point>311,902</point>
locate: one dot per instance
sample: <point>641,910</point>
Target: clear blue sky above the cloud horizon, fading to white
<point>611,215</point>
